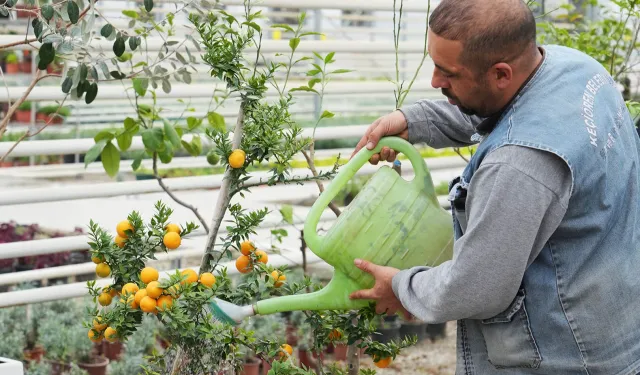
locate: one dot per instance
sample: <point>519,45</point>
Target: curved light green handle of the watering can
<point>422,178</point>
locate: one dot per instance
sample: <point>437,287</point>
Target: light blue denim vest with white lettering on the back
<point>578,306</point>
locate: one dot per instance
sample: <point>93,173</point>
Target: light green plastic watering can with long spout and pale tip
<point>391,222</point>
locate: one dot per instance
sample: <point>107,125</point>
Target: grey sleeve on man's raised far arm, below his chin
<point>439,124</point>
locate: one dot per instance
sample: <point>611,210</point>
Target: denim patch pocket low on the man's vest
<point>508,337</point>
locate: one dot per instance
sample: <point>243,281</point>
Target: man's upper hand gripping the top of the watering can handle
<point>393,124</point>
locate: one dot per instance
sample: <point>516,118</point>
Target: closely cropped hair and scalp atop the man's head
<point>491,31</point>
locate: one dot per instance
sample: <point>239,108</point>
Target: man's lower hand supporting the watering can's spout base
<point>382,292</point>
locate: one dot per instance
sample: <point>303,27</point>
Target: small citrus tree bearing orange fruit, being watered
<point>264,133</point>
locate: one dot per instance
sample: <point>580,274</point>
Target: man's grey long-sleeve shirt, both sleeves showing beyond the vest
<point>516,200</point>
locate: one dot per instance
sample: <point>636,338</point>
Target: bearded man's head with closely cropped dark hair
<point>483,51</point>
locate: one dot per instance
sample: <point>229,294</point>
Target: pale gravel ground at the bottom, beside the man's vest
<point>429,358</point>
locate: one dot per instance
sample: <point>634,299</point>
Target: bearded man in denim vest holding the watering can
<point>544,276</point>
